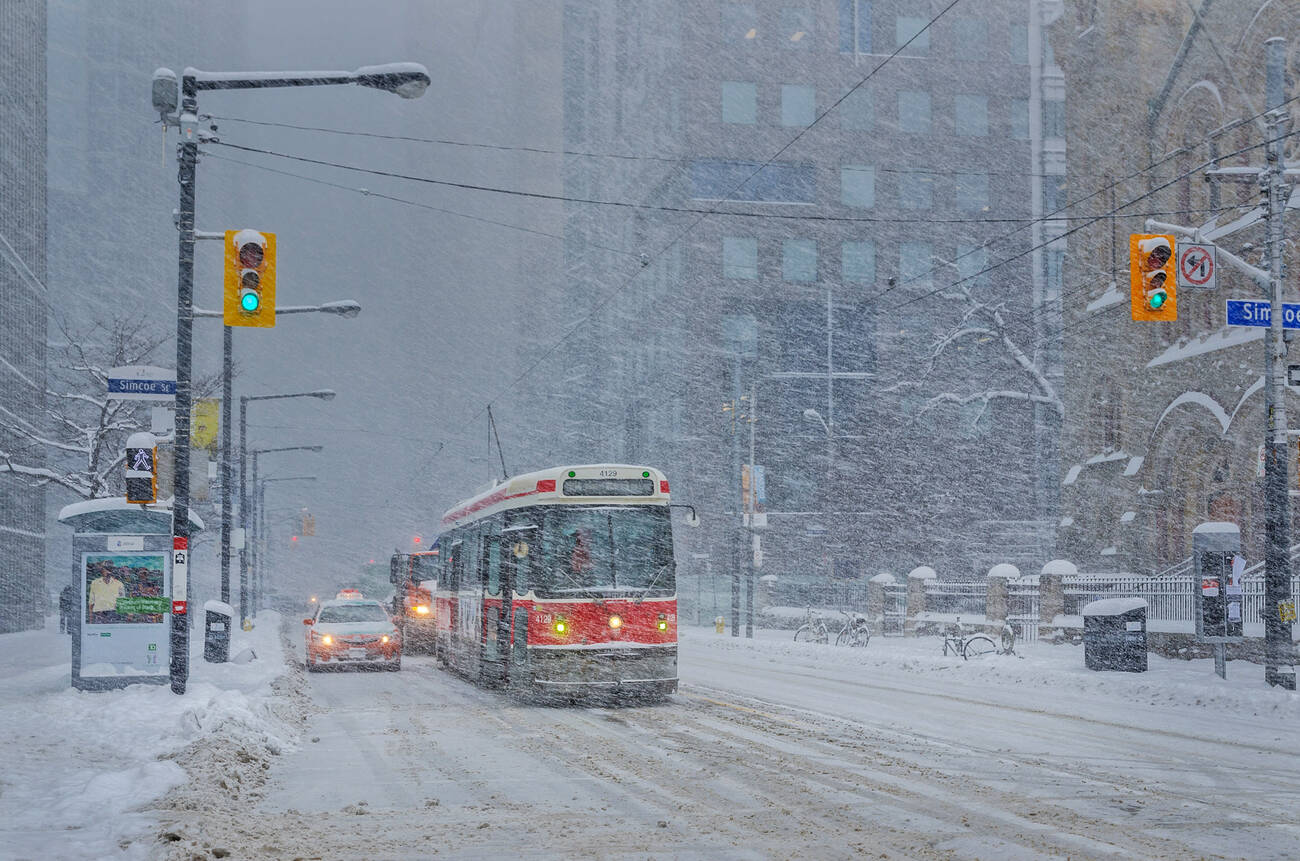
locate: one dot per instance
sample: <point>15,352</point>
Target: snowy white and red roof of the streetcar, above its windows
<point>548,486</point>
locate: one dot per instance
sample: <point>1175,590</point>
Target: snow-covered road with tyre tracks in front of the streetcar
<point>782,750</point>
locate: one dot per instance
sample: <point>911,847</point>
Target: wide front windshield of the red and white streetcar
<point>604,551</point>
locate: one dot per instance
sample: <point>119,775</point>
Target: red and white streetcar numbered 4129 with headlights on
<point>562,582</point>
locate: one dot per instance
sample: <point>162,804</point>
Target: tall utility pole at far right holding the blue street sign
<point>1279,650</point>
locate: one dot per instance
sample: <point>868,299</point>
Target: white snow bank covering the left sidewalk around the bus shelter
<point>83,769</point>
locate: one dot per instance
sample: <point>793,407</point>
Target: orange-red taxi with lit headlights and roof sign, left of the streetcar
<point>353,631</point>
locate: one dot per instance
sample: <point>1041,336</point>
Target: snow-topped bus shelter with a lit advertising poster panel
<point>123,570</point>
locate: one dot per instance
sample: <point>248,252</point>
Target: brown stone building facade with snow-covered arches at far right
<point>1163,419</point>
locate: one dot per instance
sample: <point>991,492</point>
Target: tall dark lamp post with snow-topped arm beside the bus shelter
<point>408,80</point>
